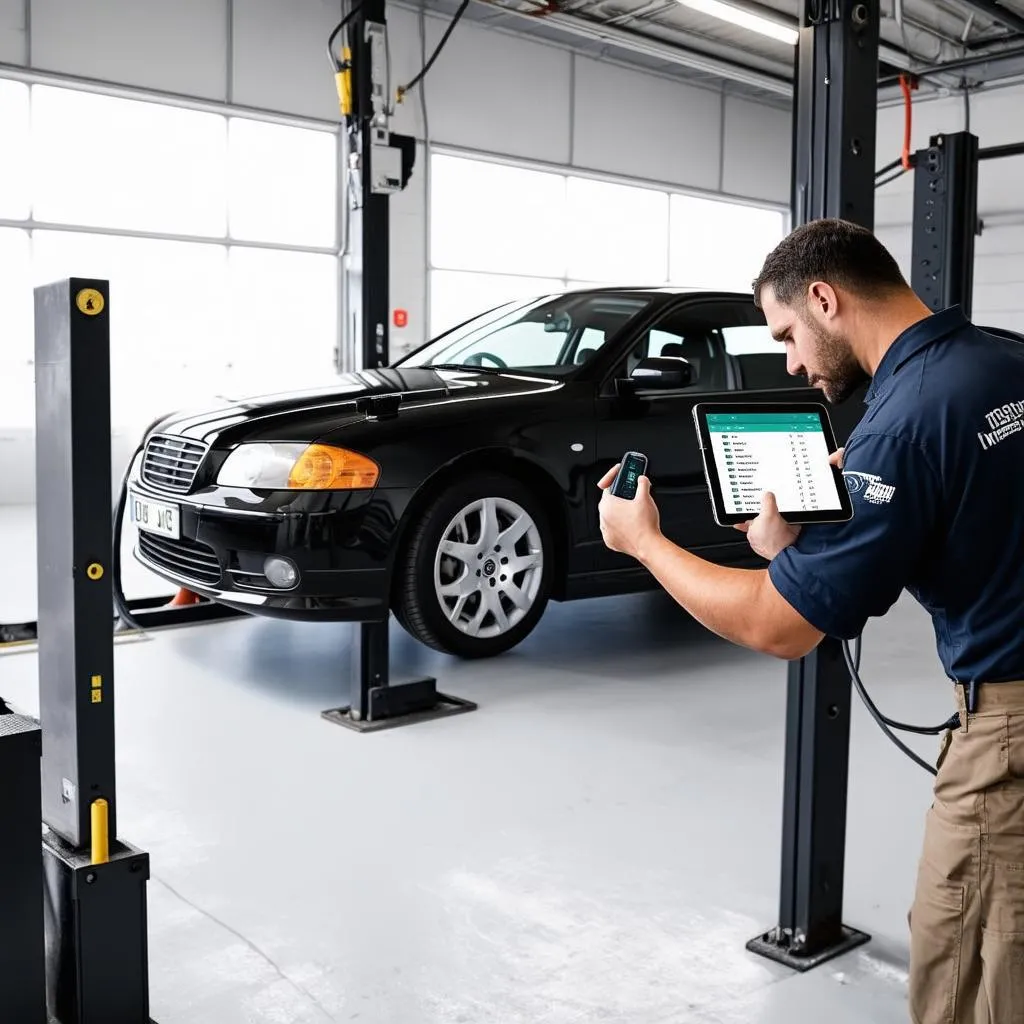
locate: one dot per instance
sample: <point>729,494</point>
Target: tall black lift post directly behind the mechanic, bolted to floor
<point>834,177</point>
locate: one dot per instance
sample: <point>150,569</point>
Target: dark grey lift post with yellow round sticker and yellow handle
<point>96,921</point>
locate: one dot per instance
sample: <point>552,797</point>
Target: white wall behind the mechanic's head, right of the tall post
<point>999,269</point>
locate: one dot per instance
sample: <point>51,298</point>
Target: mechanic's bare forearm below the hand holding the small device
<point>741,606</point>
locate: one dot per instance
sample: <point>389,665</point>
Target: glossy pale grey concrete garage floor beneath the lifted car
<point>596,843</point>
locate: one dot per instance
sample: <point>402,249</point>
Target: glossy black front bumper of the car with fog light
<point>340,542</point>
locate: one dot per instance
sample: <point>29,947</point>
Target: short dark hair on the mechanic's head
<point>839,252</point>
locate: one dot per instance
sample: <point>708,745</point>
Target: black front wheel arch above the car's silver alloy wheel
<point>506,462</point>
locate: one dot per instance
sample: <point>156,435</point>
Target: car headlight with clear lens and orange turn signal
<point>297,467</point>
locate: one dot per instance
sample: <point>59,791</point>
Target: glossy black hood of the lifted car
<point>354,398</point>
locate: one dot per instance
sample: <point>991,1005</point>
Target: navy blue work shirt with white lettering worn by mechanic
<point>936,474</point>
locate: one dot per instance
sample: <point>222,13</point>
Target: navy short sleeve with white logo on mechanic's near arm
<point>838,576</point>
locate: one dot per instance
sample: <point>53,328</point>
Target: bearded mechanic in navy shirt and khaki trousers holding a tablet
<point>942,449</point>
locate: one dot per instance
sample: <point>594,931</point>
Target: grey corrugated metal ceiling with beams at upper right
<point>672,38</point>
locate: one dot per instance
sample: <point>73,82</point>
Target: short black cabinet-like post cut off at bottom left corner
<point>23,974</point>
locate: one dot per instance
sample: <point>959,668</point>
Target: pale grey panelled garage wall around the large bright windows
<point>491,94</point>
